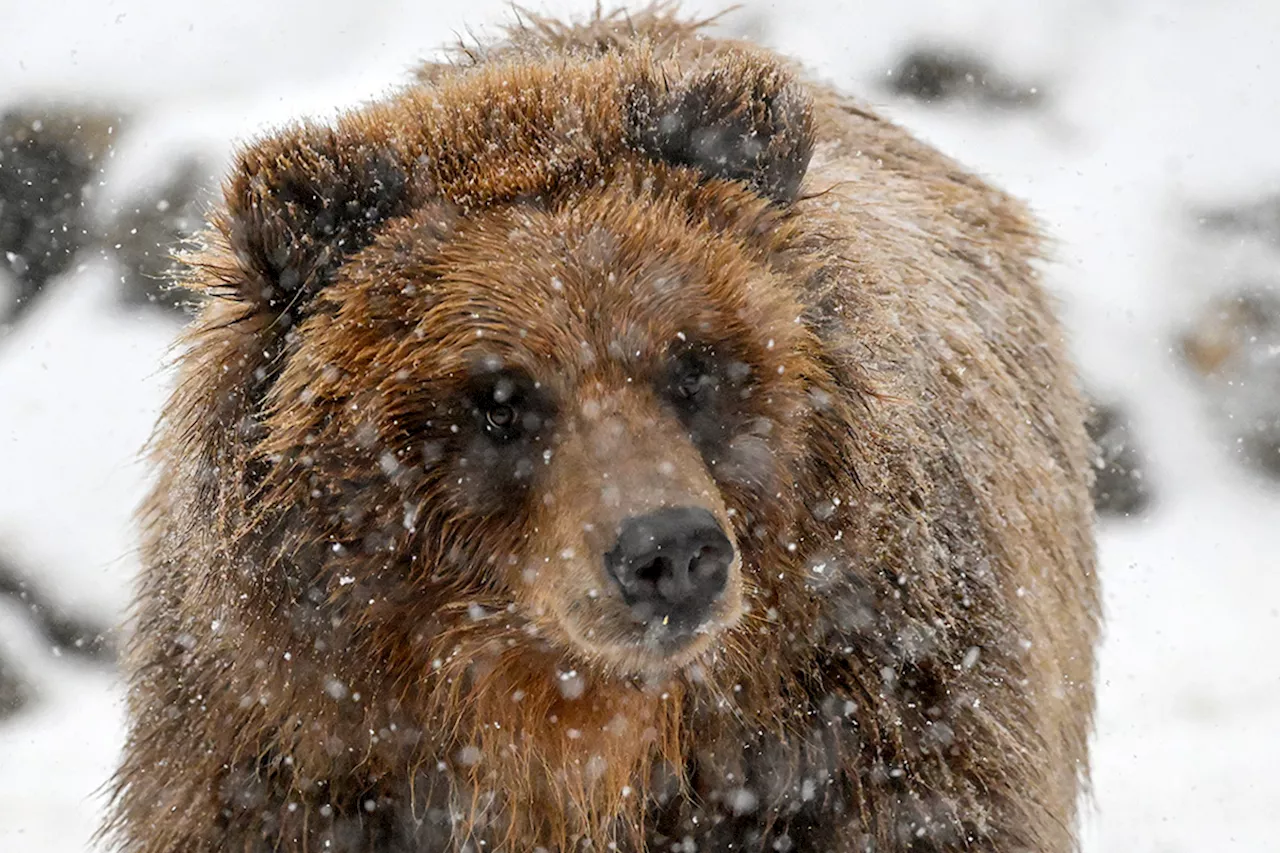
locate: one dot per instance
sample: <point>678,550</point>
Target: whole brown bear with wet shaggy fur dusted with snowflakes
<point>614,441</point>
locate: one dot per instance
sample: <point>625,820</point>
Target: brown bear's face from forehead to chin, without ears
<point>527,382</point>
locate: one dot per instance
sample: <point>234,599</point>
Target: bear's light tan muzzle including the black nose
<point>642,572</point>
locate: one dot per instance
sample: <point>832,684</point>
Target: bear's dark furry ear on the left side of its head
<point>300,203</point>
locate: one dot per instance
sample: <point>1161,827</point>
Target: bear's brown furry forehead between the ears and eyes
<point>588,282</point>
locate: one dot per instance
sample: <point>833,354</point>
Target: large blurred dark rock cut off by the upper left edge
<point>49,158</point>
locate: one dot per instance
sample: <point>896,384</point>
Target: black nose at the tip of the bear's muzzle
<point>671,565</point>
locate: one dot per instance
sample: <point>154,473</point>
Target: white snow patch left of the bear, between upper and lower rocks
<point>81,382</point>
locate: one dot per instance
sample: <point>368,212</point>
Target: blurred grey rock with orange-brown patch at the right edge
<point>1235,349</point>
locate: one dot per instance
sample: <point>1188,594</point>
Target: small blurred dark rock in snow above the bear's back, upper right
<point>939,75</point>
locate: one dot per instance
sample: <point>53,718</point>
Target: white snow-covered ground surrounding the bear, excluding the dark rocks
<point>1151,110</point>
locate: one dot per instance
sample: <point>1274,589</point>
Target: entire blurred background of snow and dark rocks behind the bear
<point>1144,134</point>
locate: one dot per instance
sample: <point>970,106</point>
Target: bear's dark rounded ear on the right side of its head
<point>744,118</point>
